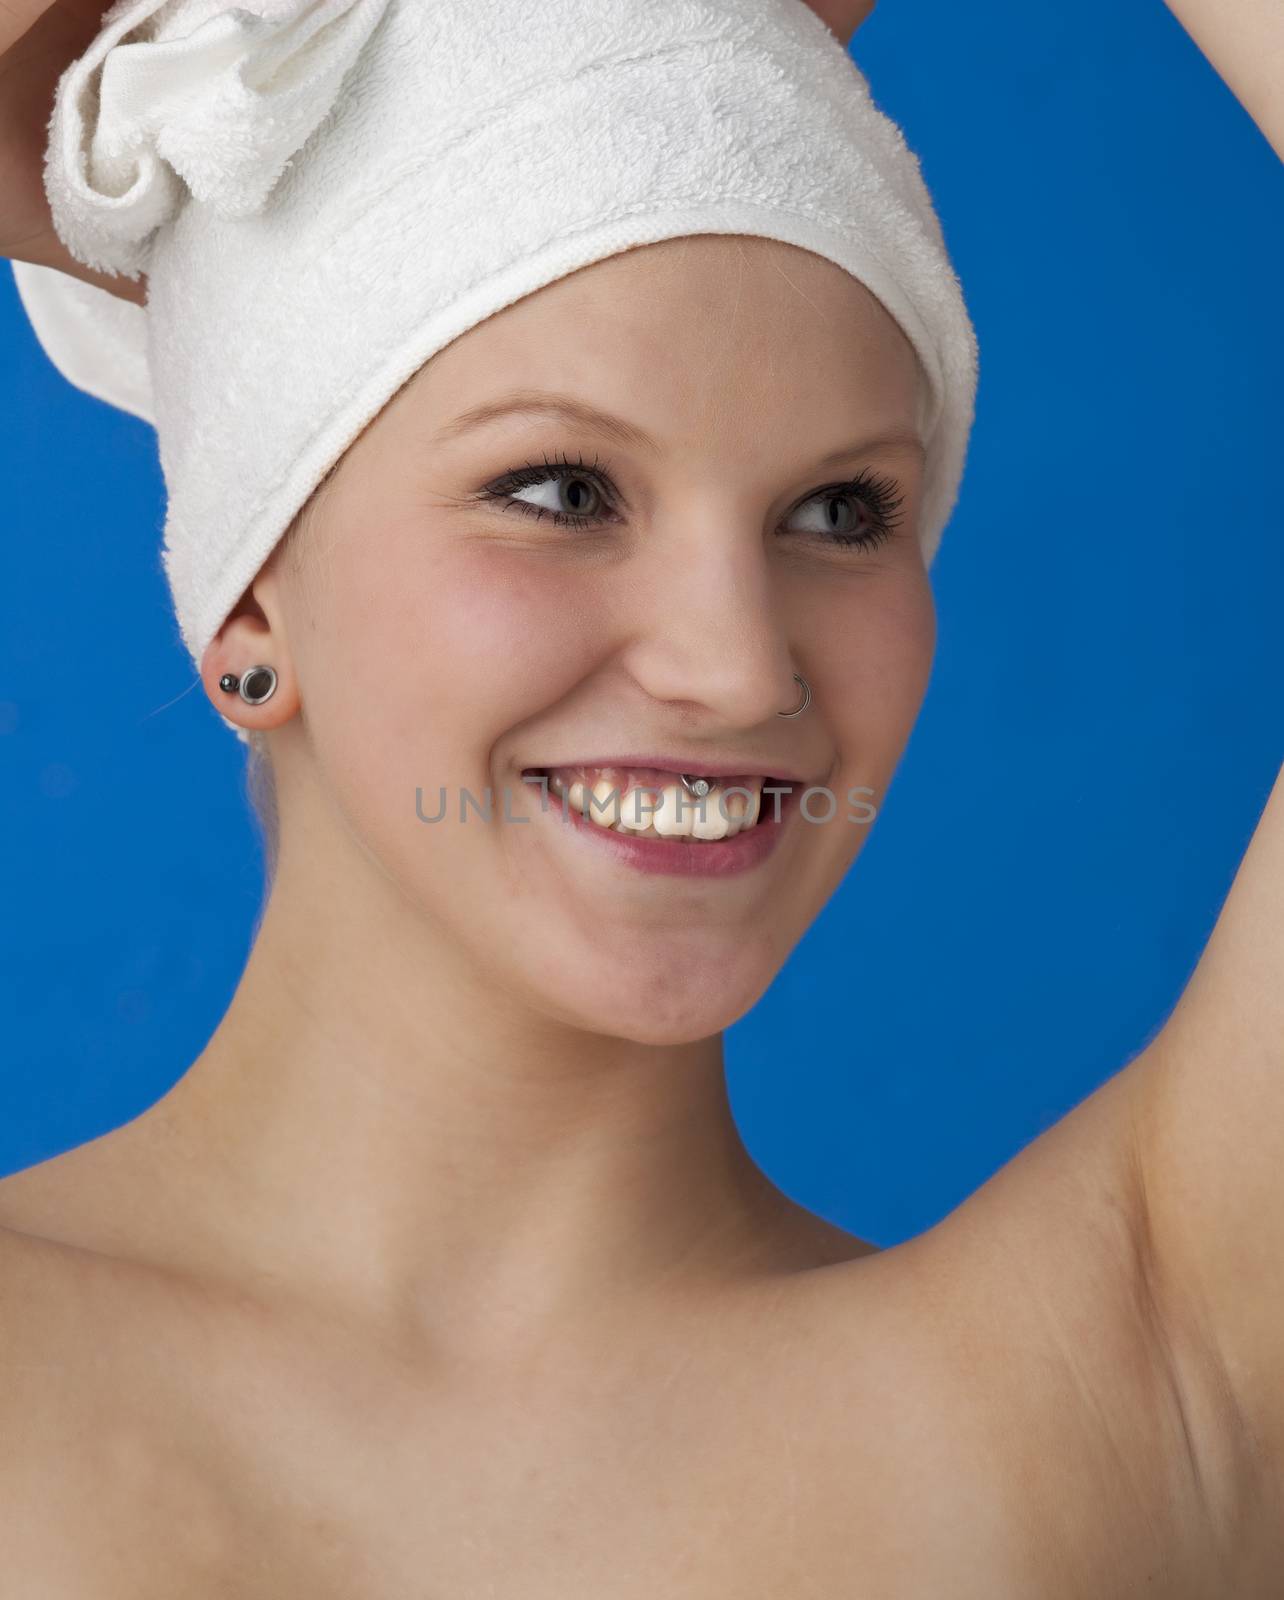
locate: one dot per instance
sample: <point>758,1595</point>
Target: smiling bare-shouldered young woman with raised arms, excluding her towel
<point>444,1271</point>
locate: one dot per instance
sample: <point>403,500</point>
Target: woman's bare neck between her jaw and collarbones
<point>374,1124</point>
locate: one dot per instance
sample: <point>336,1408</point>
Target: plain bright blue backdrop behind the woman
<point>1102,729</point>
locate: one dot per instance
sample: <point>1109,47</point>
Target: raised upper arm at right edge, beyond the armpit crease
<point>1210,1137</point>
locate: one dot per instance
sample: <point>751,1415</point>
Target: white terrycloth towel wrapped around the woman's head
<point>326,193</point>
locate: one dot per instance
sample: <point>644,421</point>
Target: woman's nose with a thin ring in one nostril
<point>707,630</point>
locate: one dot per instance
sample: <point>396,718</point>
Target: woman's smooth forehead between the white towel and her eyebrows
<point>696,332</point>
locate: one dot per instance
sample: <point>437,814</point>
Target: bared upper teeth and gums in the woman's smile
<point>652,804</point>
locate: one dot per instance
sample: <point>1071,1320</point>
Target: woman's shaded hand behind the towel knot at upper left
<point>39,41</point>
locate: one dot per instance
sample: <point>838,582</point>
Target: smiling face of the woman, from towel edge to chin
<point>444,638</point>
